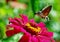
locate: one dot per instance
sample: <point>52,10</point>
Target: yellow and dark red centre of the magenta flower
<point>31,29</point>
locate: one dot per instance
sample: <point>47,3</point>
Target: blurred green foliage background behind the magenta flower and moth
<point>29,7</point>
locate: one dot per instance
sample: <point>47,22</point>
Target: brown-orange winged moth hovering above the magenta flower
<point>44,13</point>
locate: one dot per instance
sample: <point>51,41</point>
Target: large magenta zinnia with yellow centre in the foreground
<point>33,32</point>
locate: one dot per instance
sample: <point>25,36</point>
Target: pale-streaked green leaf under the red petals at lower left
<point>14,38</point>
